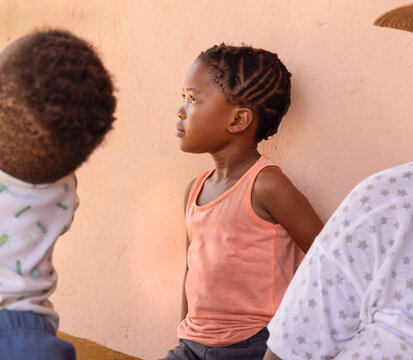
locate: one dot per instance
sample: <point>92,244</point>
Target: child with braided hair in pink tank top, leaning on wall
<point>243,215</point>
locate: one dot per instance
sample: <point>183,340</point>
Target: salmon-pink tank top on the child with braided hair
<point>239,265</point>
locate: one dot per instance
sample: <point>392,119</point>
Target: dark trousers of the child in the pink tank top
<point>251,349</point>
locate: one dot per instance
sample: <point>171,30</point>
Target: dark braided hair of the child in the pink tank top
<point>251,77</point>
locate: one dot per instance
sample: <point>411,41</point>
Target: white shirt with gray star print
<point>352,297</point>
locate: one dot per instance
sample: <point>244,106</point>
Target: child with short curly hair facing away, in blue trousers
<point>56,105</point>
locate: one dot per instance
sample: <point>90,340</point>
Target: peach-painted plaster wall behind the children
<point>121,264</point>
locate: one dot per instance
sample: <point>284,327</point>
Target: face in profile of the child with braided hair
<point>205,114</point>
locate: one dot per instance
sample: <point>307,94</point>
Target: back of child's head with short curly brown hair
<point>56,105</point>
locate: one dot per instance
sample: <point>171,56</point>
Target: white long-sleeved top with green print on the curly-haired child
<point>32,217</point>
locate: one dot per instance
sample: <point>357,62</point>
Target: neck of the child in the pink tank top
<point>232,164</point>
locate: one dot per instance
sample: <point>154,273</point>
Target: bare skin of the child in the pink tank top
<point>228,136</point>
